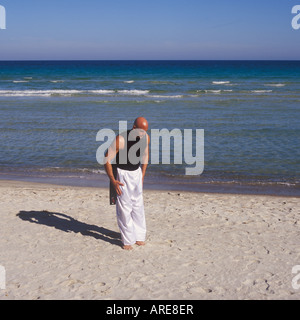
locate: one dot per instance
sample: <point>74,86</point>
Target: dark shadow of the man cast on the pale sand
<point>66,223</point>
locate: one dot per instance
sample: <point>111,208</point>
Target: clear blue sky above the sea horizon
<point>149,29</point>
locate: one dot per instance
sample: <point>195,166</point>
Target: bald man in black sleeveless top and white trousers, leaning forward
<point>131,150</point>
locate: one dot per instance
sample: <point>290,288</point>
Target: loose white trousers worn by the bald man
<point>130,207</point>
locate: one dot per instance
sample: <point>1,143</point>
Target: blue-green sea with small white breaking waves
<point>51,112</point>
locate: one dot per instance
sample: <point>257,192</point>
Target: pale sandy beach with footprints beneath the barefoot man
<point>59,242</point>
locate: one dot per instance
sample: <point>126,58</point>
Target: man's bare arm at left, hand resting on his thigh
<point>110,155</point>
